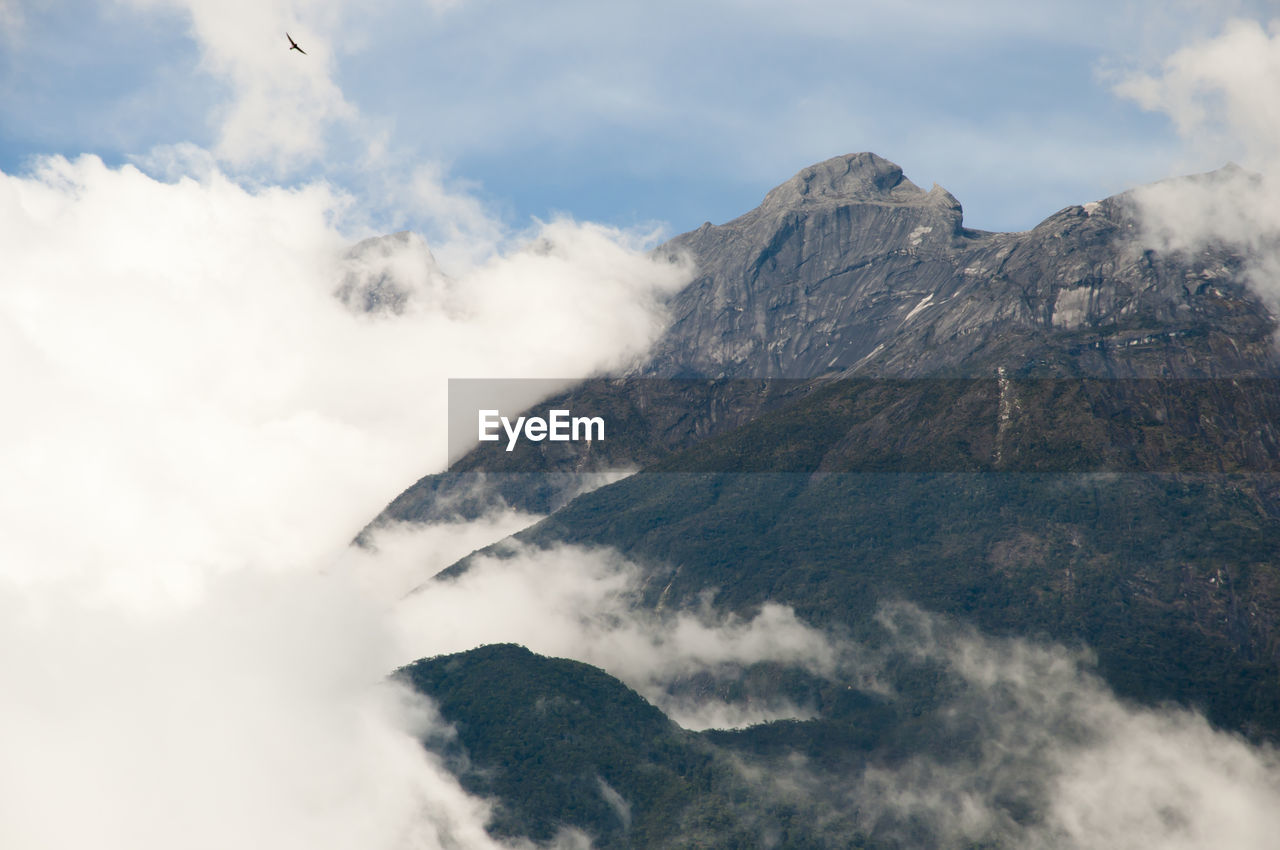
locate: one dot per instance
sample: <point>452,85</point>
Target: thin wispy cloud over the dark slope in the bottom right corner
<point>1050,758</point>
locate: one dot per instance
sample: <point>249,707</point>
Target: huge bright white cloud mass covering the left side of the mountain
<point>196,424</point>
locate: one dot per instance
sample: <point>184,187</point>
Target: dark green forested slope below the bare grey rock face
<point>1172,578</point>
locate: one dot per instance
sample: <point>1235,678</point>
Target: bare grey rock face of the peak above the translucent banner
<point>851,268</point>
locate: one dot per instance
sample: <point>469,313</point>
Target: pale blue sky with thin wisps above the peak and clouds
<point>623,113</point>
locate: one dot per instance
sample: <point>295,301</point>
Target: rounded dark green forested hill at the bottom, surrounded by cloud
<point>563,746</point>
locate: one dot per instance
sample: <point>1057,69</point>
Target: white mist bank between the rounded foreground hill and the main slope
<point>582,604</point>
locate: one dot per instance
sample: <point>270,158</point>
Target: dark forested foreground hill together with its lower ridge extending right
<point>563,748</point>
